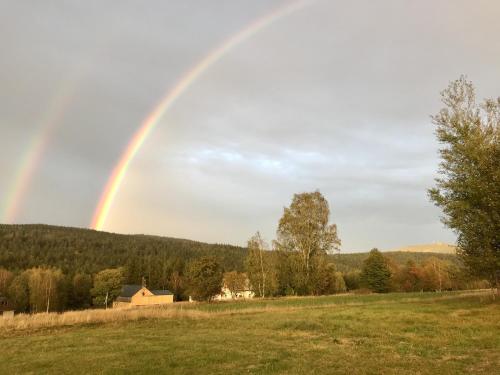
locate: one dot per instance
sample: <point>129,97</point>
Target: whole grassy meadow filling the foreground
<point>429,333</point>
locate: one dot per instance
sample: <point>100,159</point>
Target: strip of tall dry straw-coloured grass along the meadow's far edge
<point>34,322</point>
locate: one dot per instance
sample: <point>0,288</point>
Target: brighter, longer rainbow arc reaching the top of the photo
<point>115,180</point>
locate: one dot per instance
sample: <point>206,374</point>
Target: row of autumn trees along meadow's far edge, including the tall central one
<point>300,261</point>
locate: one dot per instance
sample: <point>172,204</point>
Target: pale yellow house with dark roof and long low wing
<point>137,295</point>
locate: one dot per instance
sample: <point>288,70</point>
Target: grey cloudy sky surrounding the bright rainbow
<point>335,96</point>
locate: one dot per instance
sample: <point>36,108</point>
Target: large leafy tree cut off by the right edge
<point>468,189</point>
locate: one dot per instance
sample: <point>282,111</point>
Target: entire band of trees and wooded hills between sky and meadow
<point>44,268</point>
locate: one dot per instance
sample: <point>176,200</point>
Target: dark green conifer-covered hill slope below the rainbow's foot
<point>82,250</point>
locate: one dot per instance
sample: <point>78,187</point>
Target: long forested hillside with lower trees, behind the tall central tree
<point>76,268</point>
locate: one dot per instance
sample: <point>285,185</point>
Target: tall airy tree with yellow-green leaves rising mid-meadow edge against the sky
<point>304,229</point>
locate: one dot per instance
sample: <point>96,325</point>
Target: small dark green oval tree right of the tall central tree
<point>376,274</point>
